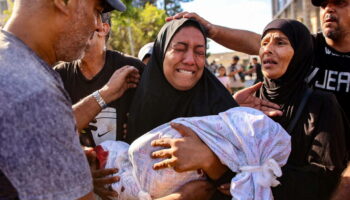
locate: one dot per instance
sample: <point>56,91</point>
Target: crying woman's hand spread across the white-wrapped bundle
<point>187,153</point>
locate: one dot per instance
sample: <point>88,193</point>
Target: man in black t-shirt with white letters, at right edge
<point>331,66</point>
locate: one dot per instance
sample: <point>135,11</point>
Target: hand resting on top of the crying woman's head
<point>211,29</point>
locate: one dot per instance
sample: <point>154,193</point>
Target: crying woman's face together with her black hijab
<point>186,91</point>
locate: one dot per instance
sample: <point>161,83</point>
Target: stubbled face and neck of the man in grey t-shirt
<point>58,30</point>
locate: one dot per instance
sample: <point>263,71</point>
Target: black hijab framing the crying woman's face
<point>156,101</point>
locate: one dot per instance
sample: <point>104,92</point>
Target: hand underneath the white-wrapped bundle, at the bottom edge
<point>193,190</point>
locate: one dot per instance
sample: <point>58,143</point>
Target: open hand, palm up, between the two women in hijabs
<point>245,97</point>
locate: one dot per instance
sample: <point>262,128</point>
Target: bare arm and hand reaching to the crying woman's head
<point>239,40</point>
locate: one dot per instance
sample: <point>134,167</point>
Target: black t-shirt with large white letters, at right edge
<point>331,72</point>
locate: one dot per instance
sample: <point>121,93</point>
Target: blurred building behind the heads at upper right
<point>301,10</point>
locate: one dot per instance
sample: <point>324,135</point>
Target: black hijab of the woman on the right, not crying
<point>288,90</point>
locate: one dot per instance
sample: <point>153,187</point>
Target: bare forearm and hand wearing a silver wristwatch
<point>122,79</point>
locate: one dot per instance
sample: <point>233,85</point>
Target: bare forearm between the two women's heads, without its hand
<point>239,40</point>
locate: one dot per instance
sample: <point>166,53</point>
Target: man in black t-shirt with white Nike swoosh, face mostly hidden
<point>81,78</point>
